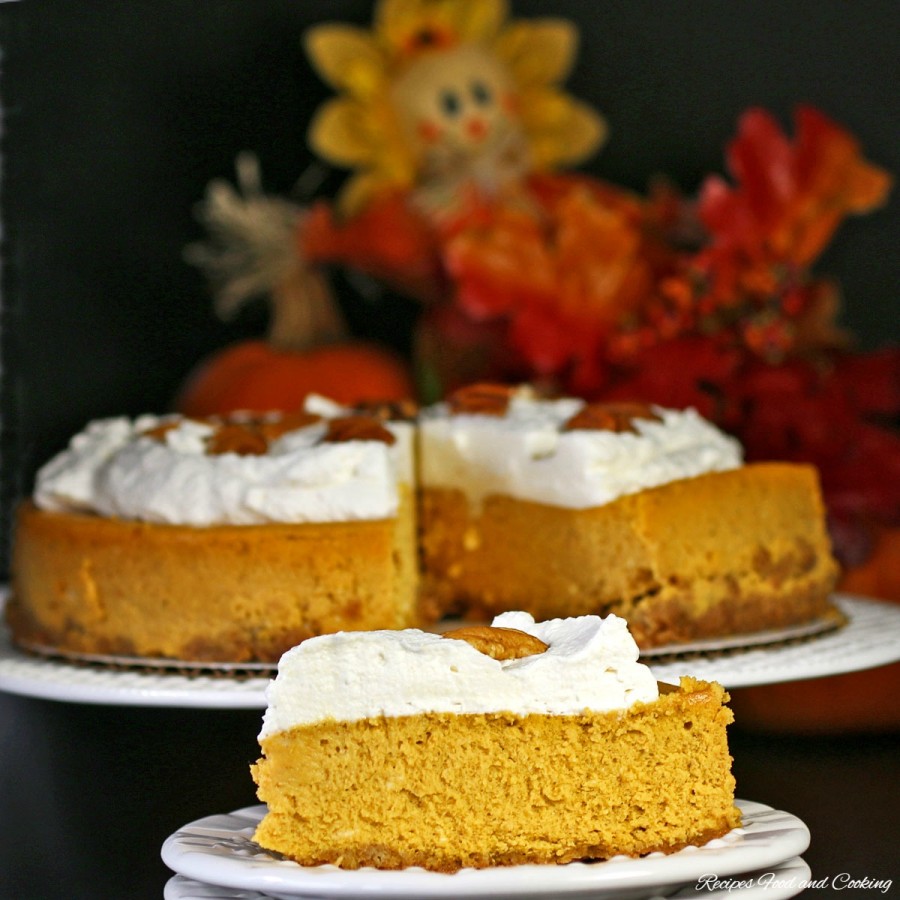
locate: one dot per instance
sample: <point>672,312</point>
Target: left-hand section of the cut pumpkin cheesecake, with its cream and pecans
<point>218,540</point>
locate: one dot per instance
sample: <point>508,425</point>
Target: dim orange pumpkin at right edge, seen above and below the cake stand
<point>859,702</point>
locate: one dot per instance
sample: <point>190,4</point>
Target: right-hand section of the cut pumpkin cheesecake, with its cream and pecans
<point>561,507</point>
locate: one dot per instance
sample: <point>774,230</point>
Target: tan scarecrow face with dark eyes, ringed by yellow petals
<point>458,109</point>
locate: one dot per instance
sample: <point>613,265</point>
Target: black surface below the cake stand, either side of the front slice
<point>88,794</point>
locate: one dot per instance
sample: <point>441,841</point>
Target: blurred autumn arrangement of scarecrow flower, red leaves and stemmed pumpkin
<point>460,143</point>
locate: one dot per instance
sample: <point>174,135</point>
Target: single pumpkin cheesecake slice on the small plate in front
<point>517,743</point>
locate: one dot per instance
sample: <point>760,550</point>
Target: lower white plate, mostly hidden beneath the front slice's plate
<point>773,883</point>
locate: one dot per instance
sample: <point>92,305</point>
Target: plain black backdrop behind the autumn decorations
<point>118,113</point>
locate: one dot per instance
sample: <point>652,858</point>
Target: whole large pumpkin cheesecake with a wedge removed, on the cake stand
<point>232,539</point>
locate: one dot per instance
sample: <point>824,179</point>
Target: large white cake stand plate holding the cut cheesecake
<point>871,638</point>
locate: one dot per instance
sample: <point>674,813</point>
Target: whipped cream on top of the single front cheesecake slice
<point>591,664</point>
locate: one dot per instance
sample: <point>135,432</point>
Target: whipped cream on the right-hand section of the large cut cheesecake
<point>526,454</point>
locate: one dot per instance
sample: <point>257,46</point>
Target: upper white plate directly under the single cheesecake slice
<point>220,850</point>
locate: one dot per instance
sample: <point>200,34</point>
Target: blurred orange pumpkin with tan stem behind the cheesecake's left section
<point>306,351</point>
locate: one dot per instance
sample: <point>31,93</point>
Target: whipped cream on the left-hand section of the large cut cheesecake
<point>158,469</point>
